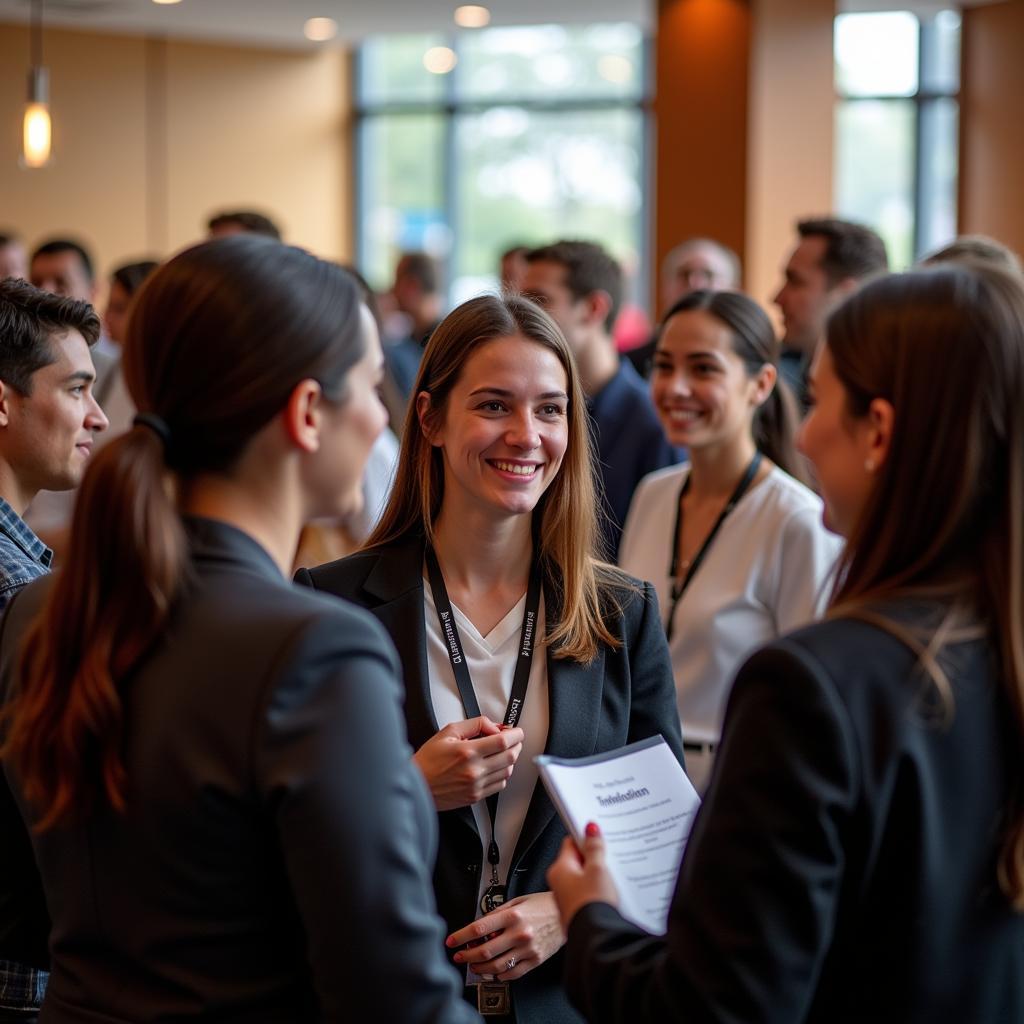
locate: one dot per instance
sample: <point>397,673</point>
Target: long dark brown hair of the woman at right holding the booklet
<point>945,522</point>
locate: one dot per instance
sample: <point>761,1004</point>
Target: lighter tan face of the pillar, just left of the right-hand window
<point>790,143</point>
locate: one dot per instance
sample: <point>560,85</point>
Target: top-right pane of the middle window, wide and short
<point>551,62</point>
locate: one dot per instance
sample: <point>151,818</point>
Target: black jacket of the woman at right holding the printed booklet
<point>842,869</point>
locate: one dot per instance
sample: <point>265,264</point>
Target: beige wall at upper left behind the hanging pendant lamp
<point>150,138</point>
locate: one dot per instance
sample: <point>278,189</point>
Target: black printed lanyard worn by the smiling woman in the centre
<point>496,893</point>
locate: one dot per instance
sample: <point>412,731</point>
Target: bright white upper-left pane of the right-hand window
<point>877,55</point>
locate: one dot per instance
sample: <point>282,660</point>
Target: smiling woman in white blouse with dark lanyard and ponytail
<point>732,540</point>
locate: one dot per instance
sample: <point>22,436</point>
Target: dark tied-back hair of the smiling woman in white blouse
<point>775,425</point>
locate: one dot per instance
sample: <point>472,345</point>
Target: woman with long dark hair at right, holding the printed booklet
<point>861,852</point>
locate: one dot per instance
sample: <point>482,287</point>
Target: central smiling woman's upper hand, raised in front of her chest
<point>468,761</point>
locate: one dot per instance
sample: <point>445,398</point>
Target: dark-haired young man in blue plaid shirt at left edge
<point>49,419</point>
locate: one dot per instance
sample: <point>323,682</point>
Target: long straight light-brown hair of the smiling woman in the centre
<point>565,521</point>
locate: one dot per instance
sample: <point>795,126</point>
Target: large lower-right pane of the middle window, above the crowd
<point>526,178</point>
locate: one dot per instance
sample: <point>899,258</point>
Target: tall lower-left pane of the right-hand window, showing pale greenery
<point>874,179</point>
